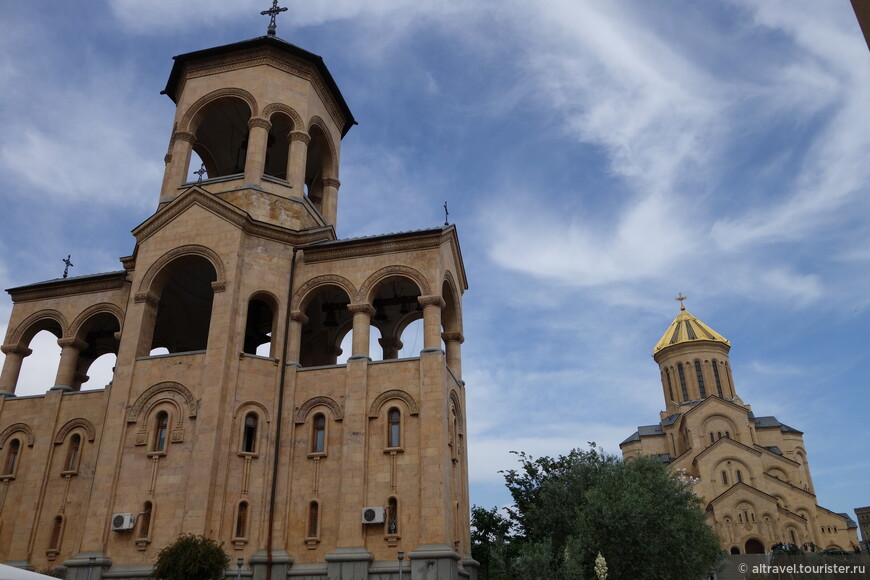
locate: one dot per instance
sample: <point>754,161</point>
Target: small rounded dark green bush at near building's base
<point>191,557</point>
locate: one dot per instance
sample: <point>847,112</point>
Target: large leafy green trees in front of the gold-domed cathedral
<point>639,514</point>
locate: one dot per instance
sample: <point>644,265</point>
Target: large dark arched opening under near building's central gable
<point>184,311</point>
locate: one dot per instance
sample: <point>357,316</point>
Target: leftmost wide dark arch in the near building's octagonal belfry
<point>222,137</point>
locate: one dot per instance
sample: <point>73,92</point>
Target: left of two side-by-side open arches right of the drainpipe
<point>328,321</point>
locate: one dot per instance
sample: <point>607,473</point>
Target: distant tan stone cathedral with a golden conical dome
<point>751,472</point>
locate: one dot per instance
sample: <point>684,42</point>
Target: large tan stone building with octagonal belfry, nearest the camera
<point>231,413</point>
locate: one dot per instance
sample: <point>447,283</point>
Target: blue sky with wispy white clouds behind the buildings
<point>597,157</point>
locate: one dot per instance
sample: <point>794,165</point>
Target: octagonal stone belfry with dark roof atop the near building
<point>266,119</point>
